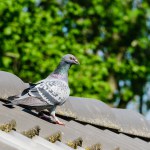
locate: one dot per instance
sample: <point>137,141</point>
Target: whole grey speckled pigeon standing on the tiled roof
<point>50,92</point>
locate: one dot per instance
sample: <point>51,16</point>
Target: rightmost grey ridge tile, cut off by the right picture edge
<point>131,122</point>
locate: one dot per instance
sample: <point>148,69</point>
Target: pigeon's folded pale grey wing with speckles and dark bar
<point>53,92</point>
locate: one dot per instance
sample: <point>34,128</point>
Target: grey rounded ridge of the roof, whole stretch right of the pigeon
<point>99,114</point>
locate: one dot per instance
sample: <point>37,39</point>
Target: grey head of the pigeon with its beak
<point>70,59</point>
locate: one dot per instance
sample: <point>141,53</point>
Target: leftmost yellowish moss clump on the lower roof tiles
<point>7,127</point>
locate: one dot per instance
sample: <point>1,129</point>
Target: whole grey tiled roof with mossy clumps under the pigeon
<point>90,125</point>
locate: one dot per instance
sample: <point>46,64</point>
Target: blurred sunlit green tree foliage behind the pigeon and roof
<point>110,38</point>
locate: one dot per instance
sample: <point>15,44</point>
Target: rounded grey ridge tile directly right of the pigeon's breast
<point>91,111</point>
